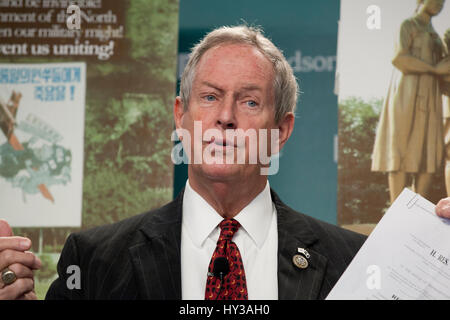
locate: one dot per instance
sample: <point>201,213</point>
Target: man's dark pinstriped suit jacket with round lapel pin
<point>139,258</point>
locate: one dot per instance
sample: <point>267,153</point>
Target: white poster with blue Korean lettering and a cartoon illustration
<point>41,143</point>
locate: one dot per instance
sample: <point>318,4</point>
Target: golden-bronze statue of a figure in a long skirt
<point>410,133</point>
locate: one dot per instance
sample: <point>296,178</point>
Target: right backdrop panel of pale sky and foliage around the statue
<point>368,33</point>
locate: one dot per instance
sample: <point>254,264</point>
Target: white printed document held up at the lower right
<point>407,256</point>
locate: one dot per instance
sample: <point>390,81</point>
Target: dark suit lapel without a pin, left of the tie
<point>156,259</point>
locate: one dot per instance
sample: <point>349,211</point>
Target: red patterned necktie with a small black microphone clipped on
<point>234,283</point>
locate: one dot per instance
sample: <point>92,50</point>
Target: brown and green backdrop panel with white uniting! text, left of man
<point>128,50</point>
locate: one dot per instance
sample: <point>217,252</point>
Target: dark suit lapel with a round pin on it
<point>293,233</point>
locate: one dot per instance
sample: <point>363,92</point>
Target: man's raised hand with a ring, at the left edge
<point>14,255</point>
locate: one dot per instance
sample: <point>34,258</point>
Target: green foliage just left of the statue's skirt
<point>362,194</point>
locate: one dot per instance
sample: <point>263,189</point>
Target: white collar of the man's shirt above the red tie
<point>200,218</point>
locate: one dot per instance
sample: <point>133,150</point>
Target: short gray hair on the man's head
<point>285,85</point>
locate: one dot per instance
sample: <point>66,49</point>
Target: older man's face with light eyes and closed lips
<point>232,90</point>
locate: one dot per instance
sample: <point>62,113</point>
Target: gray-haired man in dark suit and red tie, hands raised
<point>227,235</point>
